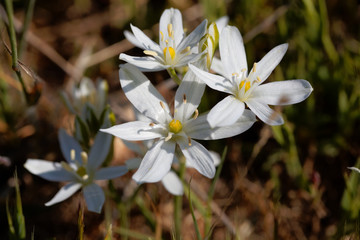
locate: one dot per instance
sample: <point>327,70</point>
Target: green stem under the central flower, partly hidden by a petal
<point>178,199</point>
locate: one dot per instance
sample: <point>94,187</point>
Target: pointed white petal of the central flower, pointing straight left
<point>134,131</point>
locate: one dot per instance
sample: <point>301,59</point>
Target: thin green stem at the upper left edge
<point>14,54</point>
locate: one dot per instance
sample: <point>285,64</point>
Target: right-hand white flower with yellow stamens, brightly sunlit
<point>247,88</point>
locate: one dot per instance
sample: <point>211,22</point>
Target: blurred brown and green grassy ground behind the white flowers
<point>285,182</point>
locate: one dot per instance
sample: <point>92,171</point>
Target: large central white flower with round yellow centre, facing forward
<point>171,130</point>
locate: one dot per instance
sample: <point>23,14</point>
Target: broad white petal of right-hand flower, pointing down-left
<point>226,112</point>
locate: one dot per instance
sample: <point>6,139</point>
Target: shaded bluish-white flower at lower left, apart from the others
<point>80,170</point>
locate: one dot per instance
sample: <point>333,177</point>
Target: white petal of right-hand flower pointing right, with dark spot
<point>283,92</point>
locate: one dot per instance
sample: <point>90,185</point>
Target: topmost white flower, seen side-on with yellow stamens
<point>174,48</point>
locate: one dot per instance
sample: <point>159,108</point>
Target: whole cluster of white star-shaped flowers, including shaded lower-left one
<point>172,134</point>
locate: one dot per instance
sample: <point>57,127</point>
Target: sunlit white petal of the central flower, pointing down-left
<point>156,163</point>
